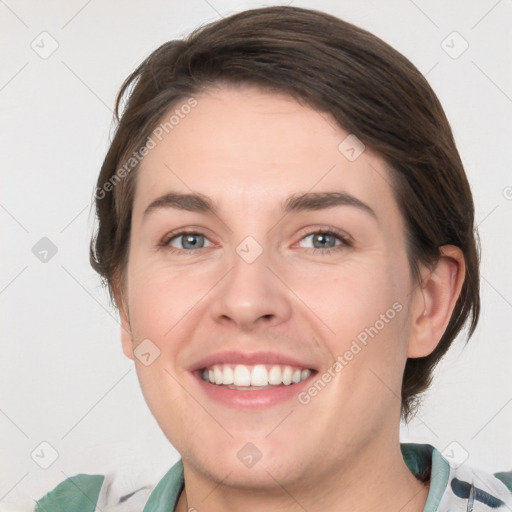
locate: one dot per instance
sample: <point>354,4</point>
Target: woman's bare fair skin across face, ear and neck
<point>248,150</point>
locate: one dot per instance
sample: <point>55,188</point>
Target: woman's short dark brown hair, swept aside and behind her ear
<point>372,91</point>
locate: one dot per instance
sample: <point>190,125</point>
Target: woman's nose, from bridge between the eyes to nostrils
<point>252,293</point>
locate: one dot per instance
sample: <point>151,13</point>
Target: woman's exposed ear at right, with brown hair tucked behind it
<point>434,300</point>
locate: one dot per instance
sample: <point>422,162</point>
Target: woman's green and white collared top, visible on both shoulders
<point>451,489</point>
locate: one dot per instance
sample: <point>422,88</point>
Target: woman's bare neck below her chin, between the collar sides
<point>375,479</point>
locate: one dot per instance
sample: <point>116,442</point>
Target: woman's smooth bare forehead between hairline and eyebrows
<point>247,148</point>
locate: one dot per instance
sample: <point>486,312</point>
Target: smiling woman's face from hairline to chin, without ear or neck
<point>261,279</point>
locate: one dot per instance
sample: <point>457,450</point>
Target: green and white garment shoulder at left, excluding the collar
<point>87,493</point>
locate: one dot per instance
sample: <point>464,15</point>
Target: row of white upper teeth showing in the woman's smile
<point>257,375</point>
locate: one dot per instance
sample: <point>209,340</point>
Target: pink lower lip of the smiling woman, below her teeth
<point>252,399</point>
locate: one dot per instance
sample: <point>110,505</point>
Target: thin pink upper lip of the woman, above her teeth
<point>248,358</point>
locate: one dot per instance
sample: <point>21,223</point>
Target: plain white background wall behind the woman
<point>64,379</point>
